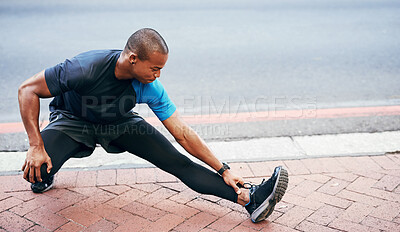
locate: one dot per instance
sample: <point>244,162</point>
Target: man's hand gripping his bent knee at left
<point>35,157</point>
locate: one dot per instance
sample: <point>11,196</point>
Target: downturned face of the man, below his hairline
<point>146,71</point>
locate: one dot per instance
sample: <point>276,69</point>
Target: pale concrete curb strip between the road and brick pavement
<point>251,150</point>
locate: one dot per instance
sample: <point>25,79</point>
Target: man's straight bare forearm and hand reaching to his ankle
<point>193,144</point>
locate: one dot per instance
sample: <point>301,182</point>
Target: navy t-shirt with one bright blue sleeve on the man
<point>86,87</point>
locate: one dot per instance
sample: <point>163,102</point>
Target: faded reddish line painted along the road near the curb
<point>16,127</point>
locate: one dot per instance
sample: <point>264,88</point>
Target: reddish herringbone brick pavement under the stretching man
<point>324,194</point>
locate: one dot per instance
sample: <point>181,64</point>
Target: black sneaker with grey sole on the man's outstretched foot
<point>263,197</point>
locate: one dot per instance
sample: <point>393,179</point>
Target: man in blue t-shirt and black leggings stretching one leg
<point>94,94</point>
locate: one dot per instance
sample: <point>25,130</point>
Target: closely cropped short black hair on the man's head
<point>146,41</point>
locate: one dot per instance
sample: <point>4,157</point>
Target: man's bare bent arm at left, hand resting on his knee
<point>28,97</point>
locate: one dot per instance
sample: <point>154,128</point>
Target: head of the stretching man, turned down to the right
<point>146,53</point>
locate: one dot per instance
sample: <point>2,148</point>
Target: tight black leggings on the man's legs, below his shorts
<point>148,143</point>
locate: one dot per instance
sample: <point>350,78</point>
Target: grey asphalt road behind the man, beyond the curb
<point>226,56</point>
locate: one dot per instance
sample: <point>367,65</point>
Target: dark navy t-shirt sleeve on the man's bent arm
<point>64,77</point>
